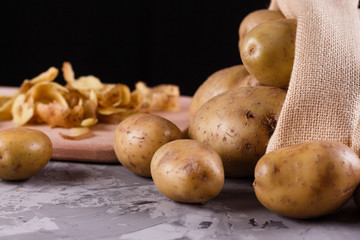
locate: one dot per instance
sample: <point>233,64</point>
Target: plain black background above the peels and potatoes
<point>177,42</point>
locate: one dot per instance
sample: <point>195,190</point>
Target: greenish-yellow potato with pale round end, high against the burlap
<point>268,50</point>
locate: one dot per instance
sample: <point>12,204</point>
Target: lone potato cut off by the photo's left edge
<point>23,152</point>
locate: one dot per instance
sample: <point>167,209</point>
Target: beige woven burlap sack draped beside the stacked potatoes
<point>323,99</point>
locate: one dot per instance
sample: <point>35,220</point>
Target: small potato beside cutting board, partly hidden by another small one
<point>138,137</point>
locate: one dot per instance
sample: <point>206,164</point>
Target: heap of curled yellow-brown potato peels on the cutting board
<point>83,102</point>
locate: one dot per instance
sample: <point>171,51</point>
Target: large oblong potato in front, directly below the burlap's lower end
<point>307,180</point>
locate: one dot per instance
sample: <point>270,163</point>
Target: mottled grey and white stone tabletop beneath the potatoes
<point>69,200</point>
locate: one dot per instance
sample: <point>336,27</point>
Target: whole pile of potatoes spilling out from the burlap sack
<point>232,117</point>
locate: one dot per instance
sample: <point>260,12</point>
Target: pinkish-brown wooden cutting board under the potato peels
<point>99,147</point>
